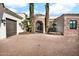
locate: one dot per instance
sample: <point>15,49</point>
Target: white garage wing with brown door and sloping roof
<point>9,22</point>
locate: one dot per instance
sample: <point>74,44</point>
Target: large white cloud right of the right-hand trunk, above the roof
<point>60,8</point>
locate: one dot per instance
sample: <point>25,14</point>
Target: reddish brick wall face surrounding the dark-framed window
<point>67,30</point>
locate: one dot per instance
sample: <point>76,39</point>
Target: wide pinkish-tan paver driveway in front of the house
<point>40,44</point>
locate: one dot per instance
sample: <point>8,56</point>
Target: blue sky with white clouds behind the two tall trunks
<point>55,9</point>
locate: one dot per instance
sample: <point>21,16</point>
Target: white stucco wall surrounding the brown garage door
<point>3,27</point>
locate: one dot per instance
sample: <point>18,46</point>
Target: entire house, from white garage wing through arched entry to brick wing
<point>10,23</point>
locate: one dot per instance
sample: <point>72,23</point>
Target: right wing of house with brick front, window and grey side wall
<point>67,24</point>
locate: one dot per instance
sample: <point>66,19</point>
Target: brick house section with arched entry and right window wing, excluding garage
<point>66,24</point>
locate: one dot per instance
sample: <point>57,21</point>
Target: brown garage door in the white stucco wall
<point>10,27</point>
